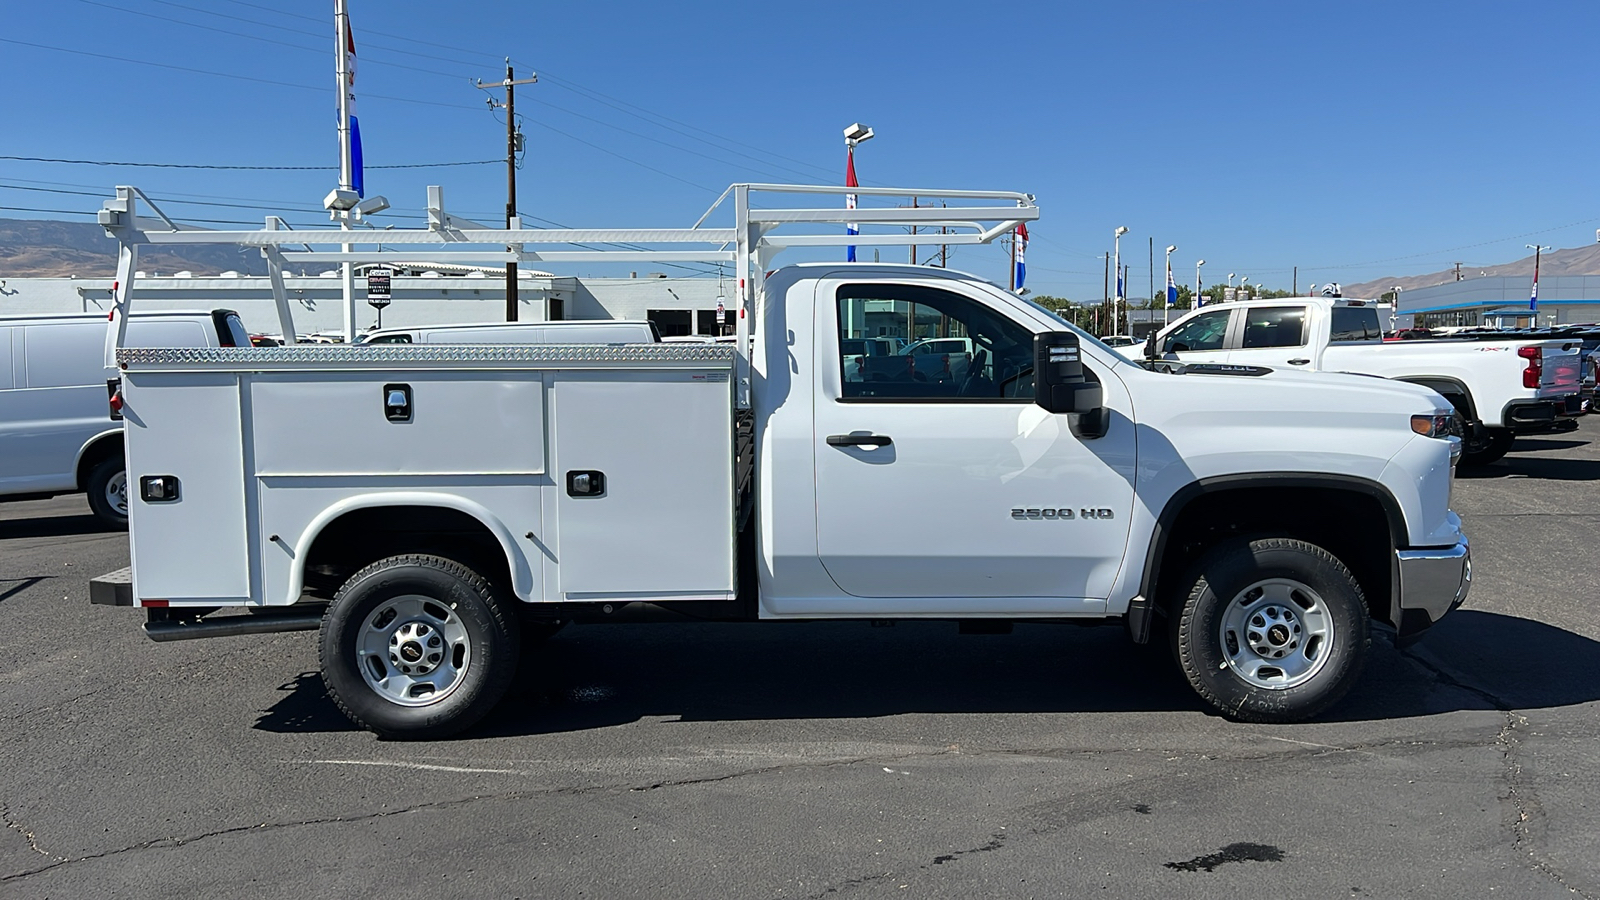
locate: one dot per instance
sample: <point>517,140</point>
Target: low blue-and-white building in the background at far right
<point>1503,302</point>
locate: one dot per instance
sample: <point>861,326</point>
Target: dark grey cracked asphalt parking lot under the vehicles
<point>818,760</point>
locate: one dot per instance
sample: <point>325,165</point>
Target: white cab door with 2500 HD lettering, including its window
<point>975,494</point>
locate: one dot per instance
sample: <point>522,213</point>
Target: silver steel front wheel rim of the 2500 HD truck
<point>1276,635</point>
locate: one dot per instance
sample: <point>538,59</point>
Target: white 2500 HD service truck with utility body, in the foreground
<point>1058,481</point>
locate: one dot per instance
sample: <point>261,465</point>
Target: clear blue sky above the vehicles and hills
<point>1353,140</point>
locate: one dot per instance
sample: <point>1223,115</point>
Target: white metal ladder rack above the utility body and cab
<point>759,235</point>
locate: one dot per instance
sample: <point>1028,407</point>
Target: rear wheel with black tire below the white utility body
<point>417,648</point>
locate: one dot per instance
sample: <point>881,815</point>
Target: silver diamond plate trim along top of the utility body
<point>554,355</point>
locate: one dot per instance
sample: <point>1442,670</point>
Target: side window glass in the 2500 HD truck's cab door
<point>943,347</point>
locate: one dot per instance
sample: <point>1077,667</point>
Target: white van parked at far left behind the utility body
<point>57,427</point>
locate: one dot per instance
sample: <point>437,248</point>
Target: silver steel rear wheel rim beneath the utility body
<point>414,651</point>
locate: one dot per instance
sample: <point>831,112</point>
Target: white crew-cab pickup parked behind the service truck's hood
<point>1502,388</point>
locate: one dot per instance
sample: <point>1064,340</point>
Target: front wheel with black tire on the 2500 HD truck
<point>1271,630</point>
